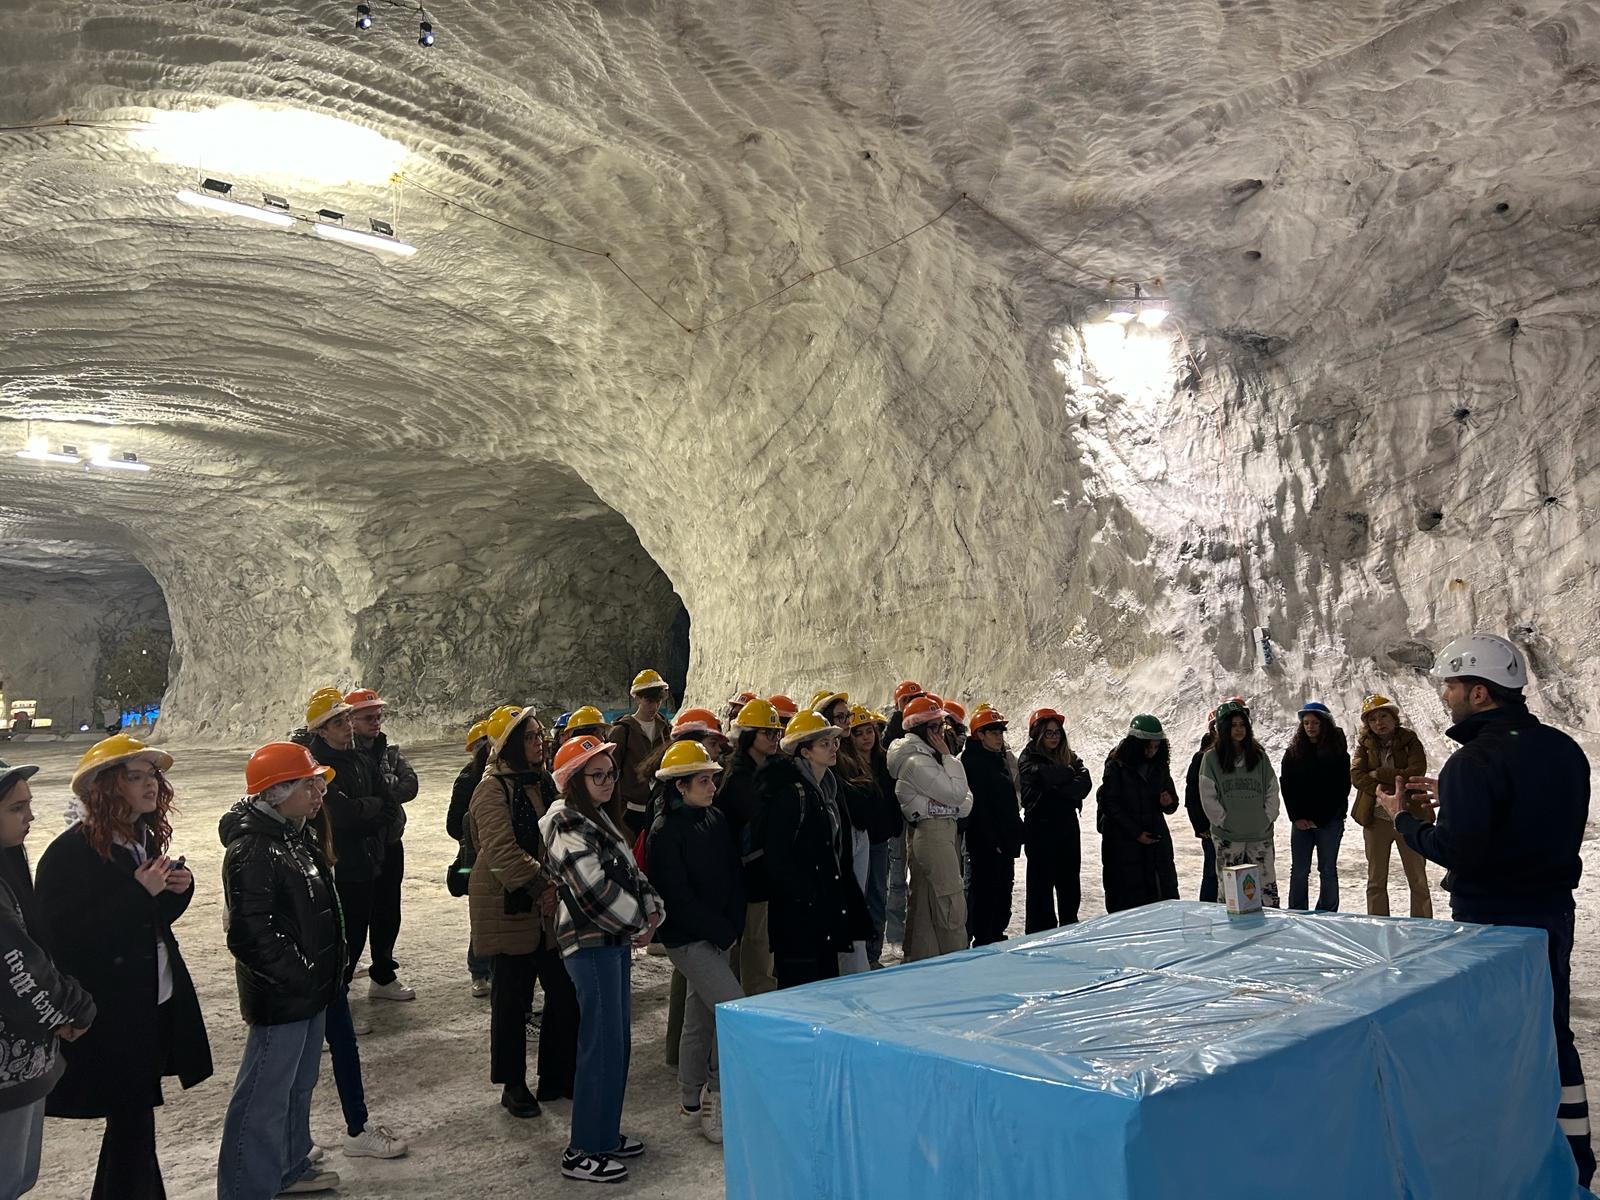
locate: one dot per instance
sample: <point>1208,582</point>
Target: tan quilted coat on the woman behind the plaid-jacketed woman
<point>503,868</point>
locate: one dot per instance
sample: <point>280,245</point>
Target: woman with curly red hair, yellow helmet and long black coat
<point>110,895</point>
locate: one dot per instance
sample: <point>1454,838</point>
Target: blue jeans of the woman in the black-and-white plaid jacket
<point>601,975</point>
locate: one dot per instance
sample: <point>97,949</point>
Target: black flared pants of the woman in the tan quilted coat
<point>511,1001</point>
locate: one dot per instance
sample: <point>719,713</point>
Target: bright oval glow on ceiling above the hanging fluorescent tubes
<point>254,142</point>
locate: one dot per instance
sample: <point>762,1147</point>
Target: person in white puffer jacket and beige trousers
<point>930,786</point>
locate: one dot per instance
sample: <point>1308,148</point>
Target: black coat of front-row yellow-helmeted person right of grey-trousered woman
<point>815,903</point>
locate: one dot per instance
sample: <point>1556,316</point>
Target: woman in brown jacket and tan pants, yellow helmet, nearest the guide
<point>1388,751</point>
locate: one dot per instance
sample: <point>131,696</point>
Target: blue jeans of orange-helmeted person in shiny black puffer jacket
<point>266,1134</point>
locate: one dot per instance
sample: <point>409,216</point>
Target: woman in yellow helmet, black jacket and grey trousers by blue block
<point>695,866</point>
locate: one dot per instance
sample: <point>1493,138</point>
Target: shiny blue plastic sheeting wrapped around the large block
<point>1166,1052</point>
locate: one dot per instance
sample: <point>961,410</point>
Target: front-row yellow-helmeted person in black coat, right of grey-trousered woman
<point>817,911</point>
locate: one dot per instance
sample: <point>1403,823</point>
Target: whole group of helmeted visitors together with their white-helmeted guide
<point>769,846</point>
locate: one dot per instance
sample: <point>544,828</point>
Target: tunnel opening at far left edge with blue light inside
<point>89,639</point>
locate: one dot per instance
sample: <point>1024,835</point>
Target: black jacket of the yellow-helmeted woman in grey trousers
<point>695,868</point>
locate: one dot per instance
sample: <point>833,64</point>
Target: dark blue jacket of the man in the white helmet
<point>1513,807</point>
